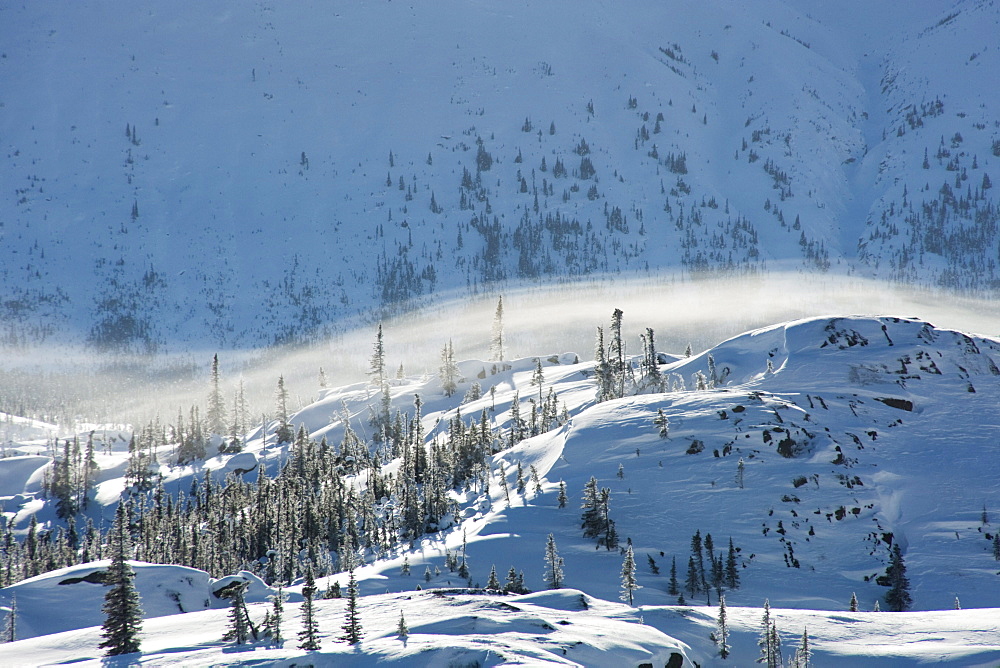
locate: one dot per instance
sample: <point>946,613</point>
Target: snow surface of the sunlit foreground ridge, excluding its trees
<point>849,448</point>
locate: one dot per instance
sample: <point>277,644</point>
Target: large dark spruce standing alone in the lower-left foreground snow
<point>122,607</point>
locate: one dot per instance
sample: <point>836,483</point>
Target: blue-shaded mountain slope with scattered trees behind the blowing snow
<point>245,175</point>
